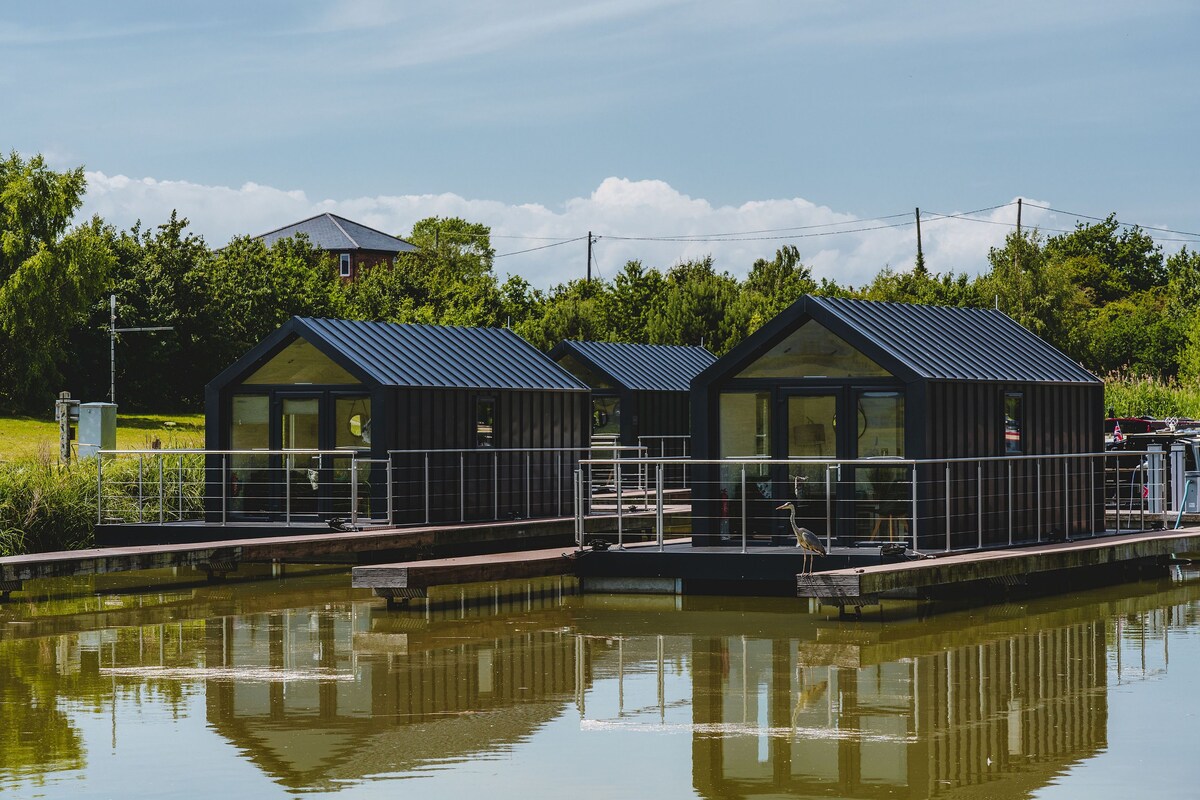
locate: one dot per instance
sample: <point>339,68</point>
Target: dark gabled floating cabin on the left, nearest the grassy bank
<point>382,390</point>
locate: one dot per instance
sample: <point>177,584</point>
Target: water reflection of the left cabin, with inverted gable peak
<point>383,696</point>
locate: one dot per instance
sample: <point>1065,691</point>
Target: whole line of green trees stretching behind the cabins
<point>1103,293</point>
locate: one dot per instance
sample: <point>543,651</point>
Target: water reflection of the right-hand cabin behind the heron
<point>914,717</point>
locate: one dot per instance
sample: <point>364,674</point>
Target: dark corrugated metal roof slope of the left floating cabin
<point>440,357</point>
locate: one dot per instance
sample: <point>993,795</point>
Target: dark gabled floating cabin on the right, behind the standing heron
<point>916,383</point>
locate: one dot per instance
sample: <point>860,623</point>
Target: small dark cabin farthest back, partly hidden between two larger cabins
<point>638,390</point>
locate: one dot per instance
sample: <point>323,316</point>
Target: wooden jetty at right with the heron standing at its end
<point>1005,568</point>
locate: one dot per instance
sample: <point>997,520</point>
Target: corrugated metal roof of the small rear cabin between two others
<point>643,368</point>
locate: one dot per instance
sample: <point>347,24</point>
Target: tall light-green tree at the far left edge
<point>50,276</point>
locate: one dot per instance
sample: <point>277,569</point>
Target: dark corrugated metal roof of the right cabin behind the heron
<point>949,344</point>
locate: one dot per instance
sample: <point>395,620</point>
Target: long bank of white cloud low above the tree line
<point>632,219</point>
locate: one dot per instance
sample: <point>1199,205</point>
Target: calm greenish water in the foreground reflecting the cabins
<point>304,687</point>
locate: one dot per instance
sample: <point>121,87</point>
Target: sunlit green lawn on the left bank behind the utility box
<point>26,437</point>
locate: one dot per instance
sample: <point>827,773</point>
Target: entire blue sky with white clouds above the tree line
<point>669,130</point>
